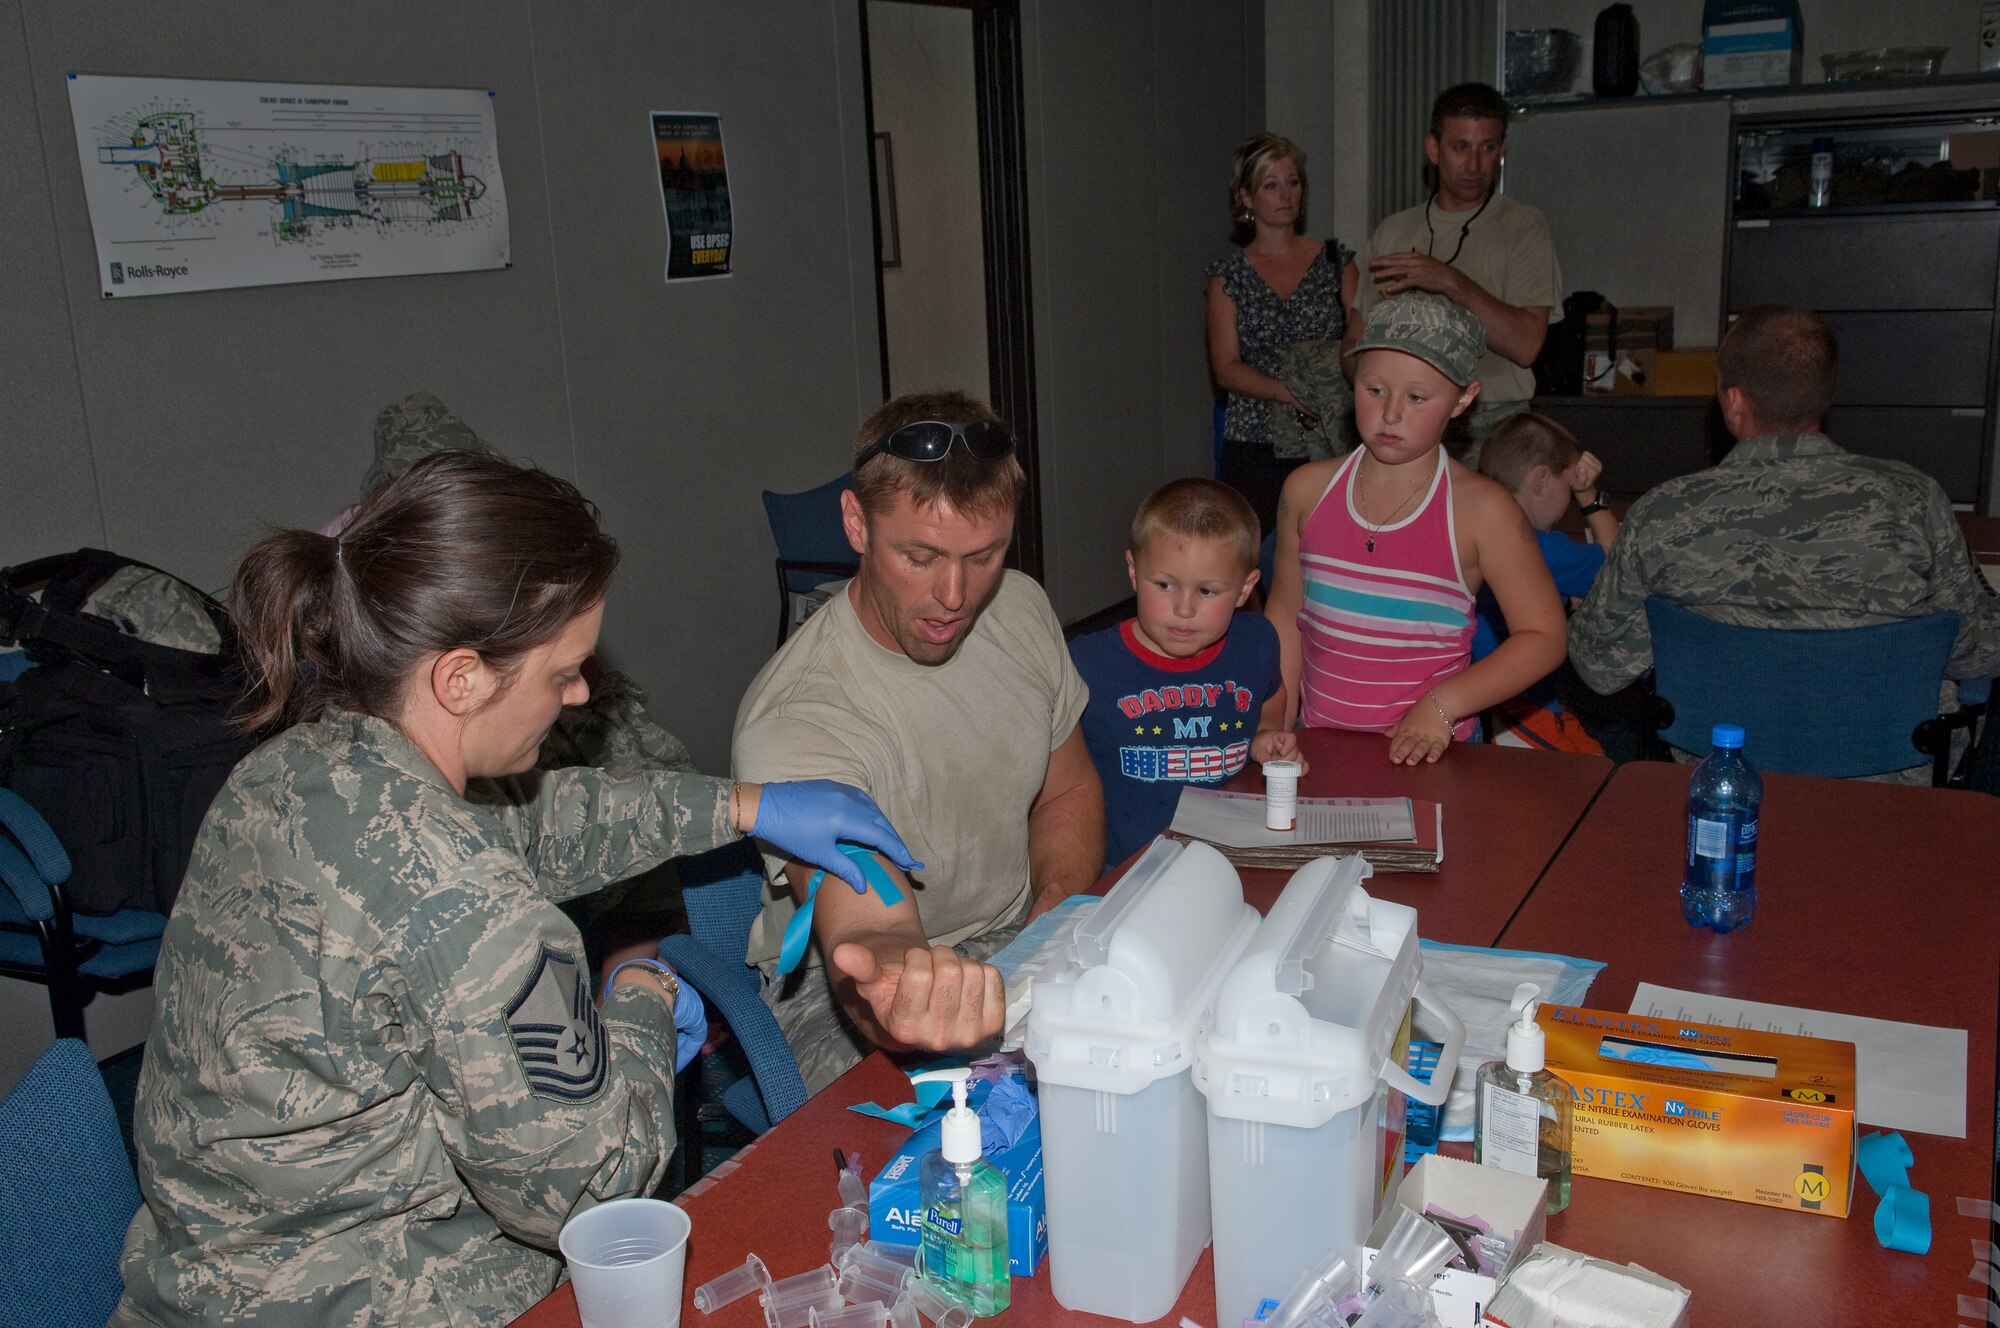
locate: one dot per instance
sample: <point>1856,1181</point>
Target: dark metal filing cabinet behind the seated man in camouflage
<point>1903,257</point>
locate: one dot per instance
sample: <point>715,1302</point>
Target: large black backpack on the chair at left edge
<point>119,743</point>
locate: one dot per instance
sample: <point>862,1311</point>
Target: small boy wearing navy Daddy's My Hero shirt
<point>1189,689</point>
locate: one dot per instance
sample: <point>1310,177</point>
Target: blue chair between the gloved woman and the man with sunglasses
<point>723,893</point>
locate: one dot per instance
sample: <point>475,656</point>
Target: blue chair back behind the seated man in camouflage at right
<point>1841,703</point>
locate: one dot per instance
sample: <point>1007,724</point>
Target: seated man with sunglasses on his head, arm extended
<point>939,683</point>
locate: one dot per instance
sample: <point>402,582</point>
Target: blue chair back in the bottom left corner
<point>67,1195</point>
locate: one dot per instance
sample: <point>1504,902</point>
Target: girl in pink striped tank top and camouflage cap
<point>1383,553</point>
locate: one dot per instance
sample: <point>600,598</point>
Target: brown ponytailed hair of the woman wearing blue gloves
<point>463,551</point>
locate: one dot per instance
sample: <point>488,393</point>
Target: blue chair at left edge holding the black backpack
<point>43,941</point>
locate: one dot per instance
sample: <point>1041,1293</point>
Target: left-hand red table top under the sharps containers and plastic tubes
<point>1507,813</point>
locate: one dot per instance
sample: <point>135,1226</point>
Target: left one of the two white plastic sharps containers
<point>1111,1033</point>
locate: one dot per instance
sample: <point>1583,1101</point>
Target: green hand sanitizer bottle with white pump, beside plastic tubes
<point>963,1221</point>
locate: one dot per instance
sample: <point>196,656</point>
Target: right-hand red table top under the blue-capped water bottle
<point>1871,901</point>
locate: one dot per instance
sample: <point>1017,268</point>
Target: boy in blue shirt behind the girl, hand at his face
<point>1545,469</point>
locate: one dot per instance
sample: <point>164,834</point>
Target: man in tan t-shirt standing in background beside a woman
<point>1475,247</point>
